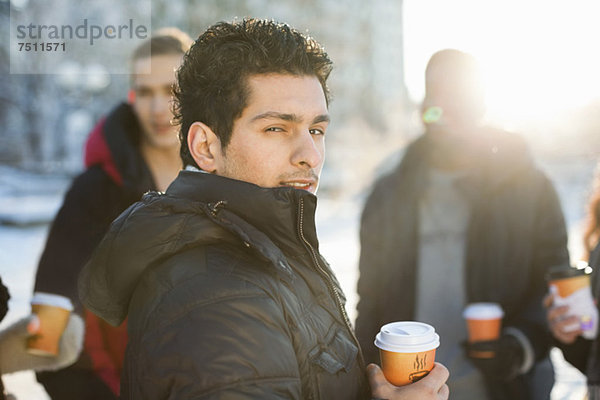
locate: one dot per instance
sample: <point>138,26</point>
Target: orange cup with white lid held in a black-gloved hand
<point>484,321</point>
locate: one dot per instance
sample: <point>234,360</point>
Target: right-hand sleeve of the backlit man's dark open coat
<point>549,243</point>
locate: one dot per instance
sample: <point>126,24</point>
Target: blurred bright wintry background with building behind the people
<point>540,61</point>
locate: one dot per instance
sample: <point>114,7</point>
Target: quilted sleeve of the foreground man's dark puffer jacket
<point>232,343</point>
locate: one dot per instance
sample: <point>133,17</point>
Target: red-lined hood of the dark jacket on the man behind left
<point>113,144</point>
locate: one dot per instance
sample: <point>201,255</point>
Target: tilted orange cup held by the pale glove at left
<point>53,314</point>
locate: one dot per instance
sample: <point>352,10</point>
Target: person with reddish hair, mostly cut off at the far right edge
<point>582,353</point>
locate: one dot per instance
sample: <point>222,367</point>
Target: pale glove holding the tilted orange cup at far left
<point>13,352</point>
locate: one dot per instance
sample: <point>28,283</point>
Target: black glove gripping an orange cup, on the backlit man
<point>498,360</point>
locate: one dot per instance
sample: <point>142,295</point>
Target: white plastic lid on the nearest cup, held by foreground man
<point>407,337</point>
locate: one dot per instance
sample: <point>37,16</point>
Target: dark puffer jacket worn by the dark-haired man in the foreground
<point>227,296</point>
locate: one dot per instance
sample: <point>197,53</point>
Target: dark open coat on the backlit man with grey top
<point>516,232</point>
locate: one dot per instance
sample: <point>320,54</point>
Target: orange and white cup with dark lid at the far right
<point>571,287</point>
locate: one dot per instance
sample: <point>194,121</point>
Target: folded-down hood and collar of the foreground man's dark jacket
<point>197,209</point>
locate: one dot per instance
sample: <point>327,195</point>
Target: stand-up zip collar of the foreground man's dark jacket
<point>285,215</point>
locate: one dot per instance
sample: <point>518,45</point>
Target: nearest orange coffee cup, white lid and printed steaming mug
<point>407,351</point>
